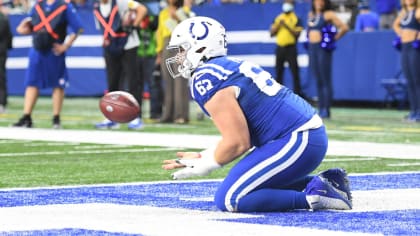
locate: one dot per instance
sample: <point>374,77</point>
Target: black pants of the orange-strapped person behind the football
<point>123,74</point>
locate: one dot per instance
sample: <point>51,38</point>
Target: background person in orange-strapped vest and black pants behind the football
<point>117,19</point>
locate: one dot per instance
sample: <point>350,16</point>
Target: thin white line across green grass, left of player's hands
<point>102,151</point>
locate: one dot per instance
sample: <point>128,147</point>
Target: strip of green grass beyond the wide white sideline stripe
<point>353,124</point>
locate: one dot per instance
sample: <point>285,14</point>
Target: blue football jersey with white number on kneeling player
<point>271,109</point>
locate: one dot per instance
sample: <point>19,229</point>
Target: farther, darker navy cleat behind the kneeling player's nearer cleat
<point>337,177</point>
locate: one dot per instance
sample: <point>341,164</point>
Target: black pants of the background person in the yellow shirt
<point>288,54</point>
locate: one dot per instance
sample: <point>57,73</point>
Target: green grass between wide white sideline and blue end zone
<point>64,164</point>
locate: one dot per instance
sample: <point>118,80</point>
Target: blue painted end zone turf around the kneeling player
<point>199,195</point>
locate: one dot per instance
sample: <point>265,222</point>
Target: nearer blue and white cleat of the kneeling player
<point>321,195</point>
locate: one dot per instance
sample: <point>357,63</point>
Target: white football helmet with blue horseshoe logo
<point>194,41</point>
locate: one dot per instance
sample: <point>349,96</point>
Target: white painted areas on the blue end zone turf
<point>148,220</point>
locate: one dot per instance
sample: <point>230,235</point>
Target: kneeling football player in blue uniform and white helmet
<point>277,135</point>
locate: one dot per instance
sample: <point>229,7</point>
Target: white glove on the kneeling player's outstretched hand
<point>196,167</point>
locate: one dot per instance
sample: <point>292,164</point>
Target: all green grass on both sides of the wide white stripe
<point>34,163</point>
